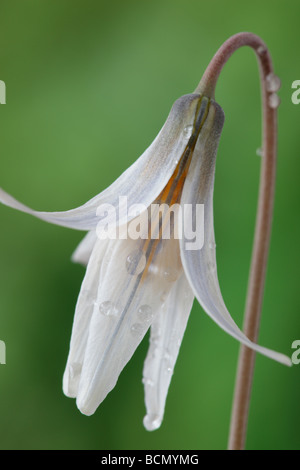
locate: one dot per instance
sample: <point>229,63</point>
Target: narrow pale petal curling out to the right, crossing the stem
<point>200,265</point>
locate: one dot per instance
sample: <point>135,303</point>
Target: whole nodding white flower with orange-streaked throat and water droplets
<point>133,284</point>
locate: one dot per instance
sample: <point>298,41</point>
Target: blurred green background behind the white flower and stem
<point>89,85</point>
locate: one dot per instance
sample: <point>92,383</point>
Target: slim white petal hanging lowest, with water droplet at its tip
<point>167,332</point>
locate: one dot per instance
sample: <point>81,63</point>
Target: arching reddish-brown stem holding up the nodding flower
<point>269,84</point>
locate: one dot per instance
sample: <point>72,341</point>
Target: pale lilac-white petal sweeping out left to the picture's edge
<point>141,183</point>
